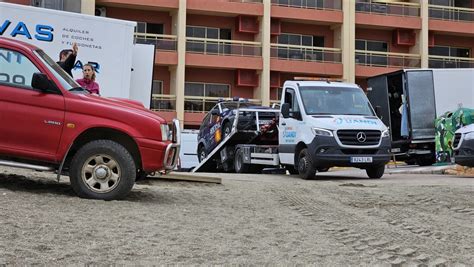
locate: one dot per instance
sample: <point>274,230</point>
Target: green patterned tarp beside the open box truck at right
<point>446,125</point>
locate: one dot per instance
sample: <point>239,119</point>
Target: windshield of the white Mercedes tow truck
<point>335,101</point>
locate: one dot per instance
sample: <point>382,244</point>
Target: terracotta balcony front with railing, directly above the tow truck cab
<point>306,59</point>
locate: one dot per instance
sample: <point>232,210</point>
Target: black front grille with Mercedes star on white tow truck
<point>359,137</point>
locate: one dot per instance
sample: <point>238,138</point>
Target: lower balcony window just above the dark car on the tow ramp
<point>201,97</point>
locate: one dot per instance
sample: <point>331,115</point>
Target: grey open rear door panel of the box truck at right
<point>421,104</point>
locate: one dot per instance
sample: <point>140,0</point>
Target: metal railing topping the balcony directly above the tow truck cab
<point>305,53</point>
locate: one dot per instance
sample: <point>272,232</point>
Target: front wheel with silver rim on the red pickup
<point>102,169</point>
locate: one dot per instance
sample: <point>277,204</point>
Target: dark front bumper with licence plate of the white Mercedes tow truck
<point>326,152</point>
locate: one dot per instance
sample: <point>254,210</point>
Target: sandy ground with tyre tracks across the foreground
<point>341,219</point>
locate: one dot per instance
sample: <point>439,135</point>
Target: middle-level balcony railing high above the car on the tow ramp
<point>223,47</point>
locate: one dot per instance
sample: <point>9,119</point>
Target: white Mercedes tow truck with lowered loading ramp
<point>321,124</point>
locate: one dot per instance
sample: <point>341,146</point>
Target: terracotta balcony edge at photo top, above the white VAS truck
<point>141,4</point>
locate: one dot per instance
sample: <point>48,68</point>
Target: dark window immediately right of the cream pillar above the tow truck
<point>365,58</point>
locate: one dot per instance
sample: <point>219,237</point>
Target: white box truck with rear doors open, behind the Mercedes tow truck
<point>410,100</point>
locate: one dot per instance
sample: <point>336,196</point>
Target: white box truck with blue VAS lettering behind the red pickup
<point>106,43</point>
